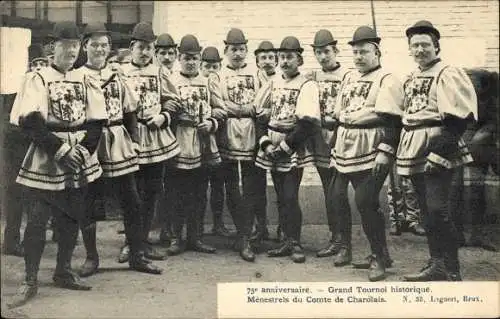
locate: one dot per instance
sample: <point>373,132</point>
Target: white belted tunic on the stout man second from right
<point>362,98</point>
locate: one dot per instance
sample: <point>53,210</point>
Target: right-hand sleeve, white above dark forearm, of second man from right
<point>389,107</point>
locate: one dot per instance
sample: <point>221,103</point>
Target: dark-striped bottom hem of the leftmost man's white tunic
<point>58,182</point>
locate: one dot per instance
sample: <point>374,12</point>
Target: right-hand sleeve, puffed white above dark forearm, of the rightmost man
<point>457,105</point>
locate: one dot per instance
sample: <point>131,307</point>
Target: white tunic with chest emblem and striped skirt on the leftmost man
<point>65,101</point>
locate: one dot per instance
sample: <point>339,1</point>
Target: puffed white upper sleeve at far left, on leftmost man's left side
<point>33,97</point>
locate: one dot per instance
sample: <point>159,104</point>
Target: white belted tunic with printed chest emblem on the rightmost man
<point>430,96</point>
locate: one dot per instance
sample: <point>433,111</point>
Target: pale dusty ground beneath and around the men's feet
<point>187,289</point>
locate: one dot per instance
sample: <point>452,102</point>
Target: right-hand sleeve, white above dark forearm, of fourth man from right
<point>308,117</point>
